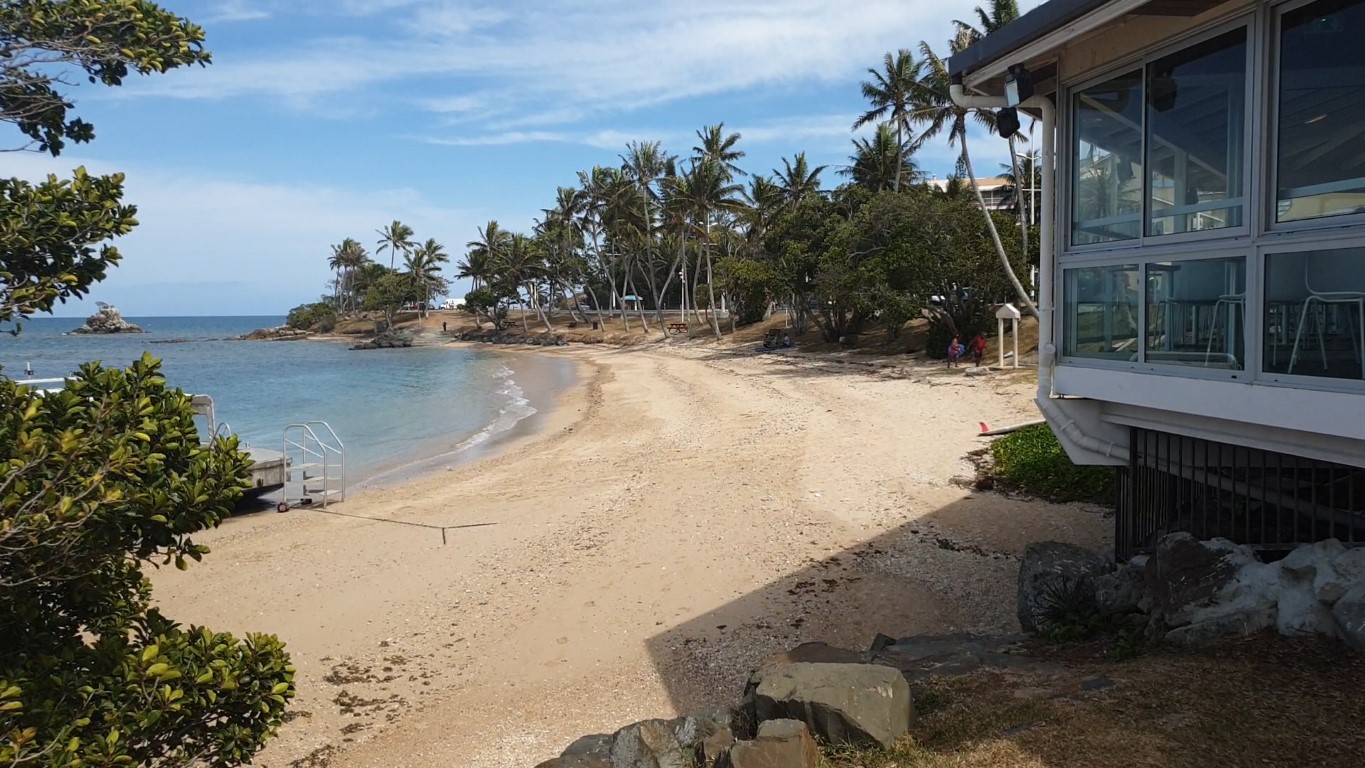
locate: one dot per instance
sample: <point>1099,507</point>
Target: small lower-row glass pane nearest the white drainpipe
<point>1102,310</point>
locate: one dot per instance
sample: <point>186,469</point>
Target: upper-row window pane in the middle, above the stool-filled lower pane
<point>1196,126</point>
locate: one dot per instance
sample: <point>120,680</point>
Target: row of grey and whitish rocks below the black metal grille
<point>1194,593</point>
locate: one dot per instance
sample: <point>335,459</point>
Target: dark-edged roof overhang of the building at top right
<point>1035,38</point>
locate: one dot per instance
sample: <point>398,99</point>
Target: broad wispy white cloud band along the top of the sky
<point>570,58</point>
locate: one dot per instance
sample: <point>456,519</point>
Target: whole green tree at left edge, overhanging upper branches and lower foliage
<point>107,478</point>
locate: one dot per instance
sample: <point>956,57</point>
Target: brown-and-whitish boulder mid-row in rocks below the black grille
<point>1202,591</point>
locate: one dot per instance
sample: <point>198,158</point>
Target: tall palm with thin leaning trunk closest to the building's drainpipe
<point>938,114</point>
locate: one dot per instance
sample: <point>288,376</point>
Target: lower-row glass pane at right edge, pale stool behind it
<point>1315,314</point>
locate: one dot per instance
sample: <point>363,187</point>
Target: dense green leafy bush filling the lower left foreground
<point>96,484</point>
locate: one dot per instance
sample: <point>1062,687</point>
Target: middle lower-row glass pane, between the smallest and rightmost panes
<point>1196,313</point>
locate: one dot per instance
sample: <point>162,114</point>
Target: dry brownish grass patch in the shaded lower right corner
<point>1261,702</point>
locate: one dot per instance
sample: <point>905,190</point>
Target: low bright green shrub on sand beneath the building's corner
<point>1033,462</point>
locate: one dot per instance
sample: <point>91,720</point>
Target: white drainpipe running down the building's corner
<point>1046,347</point>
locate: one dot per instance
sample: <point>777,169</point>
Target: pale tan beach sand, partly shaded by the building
<point>682,515</point>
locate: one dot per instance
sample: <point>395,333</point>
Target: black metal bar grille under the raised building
<point>1271,501</point>
